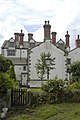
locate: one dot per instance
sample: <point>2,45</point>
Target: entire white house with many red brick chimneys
<point>25,54</point>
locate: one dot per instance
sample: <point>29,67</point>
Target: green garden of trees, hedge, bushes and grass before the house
<point>56,100</point>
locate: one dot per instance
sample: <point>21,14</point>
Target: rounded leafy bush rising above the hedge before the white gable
<point>54,89</point>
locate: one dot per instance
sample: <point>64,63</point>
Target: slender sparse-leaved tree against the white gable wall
<point>42,67</point>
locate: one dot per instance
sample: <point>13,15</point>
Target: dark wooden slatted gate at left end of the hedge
<point>18,97</point>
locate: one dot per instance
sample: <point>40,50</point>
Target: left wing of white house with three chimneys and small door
<point>16,50</point>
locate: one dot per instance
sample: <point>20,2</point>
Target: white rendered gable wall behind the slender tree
<point>56,53</point>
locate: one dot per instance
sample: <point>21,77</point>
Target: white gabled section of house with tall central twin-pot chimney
<point>48,46</point>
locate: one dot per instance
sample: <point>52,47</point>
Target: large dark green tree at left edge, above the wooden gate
<point>7,74</point>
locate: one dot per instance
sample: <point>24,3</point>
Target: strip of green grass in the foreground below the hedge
<point>64,111</point>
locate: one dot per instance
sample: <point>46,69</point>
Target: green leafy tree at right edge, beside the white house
<point>75,71</point>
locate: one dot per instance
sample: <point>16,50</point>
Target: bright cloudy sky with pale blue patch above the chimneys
<point>30,16</point>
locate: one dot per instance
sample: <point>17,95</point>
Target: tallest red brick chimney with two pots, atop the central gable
<point>47,30</point>
